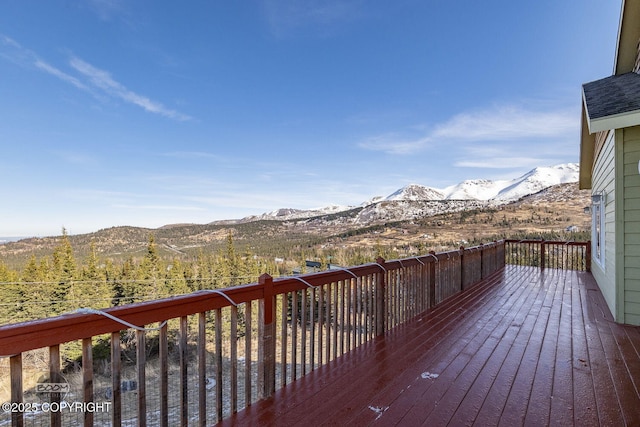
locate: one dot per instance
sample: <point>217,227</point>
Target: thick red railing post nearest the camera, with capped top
<point>267,350</point>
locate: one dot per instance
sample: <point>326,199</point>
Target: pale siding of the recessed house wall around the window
<point>604,181</point>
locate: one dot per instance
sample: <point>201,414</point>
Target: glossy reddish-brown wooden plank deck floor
<point>524,347</point>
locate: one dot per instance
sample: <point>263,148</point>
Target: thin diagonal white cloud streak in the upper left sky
<point>102,80</point>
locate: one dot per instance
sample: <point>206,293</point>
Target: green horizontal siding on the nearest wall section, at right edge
<point>631,150</point>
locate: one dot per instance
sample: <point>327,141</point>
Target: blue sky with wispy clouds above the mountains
<point>147,113</point>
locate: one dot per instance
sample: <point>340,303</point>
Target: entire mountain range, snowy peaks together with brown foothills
<point>546,199</point>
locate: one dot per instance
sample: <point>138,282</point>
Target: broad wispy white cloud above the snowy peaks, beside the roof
<point>496,124</point>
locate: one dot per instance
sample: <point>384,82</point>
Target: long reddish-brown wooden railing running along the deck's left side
<point>197,358</point>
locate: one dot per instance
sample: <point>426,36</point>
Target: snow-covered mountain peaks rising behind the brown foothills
<point>416,199</point>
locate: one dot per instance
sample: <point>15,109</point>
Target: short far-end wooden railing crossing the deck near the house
<point>549,254</point>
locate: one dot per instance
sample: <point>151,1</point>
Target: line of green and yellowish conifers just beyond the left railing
<point>60,283</point>
